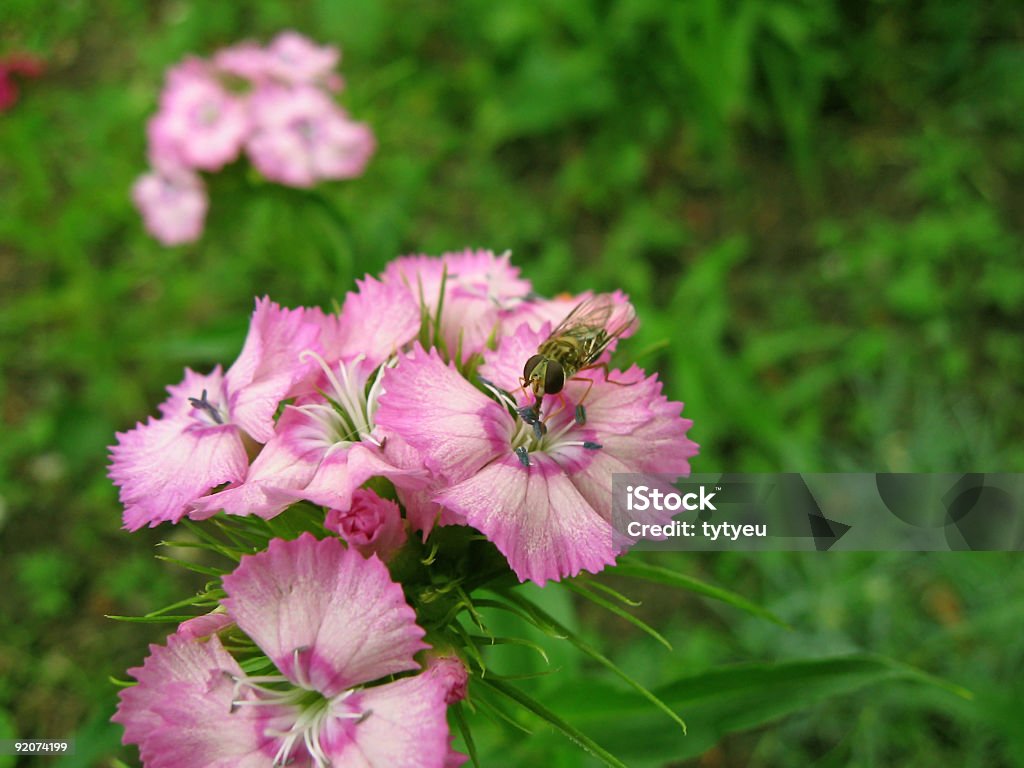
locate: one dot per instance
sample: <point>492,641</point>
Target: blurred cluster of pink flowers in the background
<point>274,103</point>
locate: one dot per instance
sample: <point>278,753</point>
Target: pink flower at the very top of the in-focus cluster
<point>481,291</point>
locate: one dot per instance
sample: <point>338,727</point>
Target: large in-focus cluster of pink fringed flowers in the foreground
<point>416,382</point>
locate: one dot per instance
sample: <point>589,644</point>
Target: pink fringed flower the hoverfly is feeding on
<point>545,501</point>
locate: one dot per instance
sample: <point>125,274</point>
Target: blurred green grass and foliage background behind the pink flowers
<point>817,206</point>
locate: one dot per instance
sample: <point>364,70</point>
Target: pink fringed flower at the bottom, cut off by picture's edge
<point>331,622</point>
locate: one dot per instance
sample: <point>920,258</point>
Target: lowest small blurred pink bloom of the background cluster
<point>174,205</point>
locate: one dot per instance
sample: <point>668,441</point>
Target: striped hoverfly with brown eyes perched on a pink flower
<point>574,347</point>
